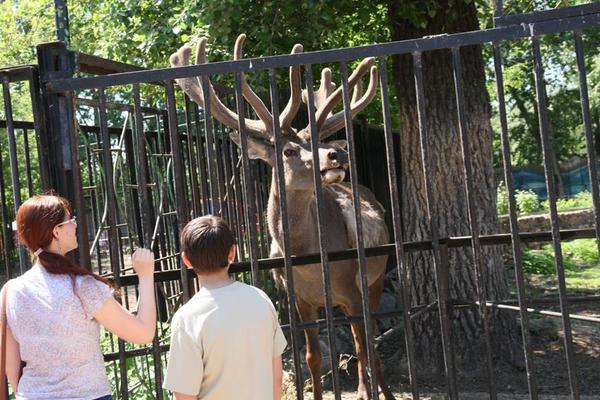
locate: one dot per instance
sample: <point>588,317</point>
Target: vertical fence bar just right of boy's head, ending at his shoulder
<point>248,181</point>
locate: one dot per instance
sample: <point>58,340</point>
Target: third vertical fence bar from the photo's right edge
<point>514,226</point>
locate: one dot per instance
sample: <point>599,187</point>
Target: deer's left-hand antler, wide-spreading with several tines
<point>263,127</point>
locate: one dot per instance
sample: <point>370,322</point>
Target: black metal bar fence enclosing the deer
<point>137,173</point>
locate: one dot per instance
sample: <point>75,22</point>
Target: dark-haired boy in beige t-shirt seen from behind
<point>226,342</point>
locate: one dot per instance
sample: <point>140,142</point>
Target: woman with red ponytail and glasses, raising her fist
<point>55,309</point>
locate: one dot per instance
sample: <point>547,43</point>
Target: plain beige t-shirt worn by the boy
<point>223,342</point>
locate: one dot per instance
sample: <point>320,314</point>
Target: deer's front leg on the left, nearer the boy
<point>313,350</point>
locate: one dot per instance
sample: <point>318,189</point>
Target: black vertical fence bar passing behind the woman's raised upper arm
<point>111,220</point>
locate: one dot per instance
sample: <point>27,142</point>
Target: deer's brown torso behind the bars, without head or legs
<point>340,231</point>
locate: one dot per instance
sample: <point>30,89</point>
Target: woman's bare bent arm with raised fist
<point>115,318</point>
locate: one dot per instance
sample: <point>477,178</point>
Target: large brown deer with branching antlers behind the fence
<point>339,228</point>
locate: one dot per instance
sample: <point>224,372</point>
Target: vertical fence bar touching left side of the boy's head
<point>178,173</point>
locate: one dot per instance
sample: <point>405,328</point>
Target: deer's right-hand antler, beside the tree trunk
<point>326,98</point>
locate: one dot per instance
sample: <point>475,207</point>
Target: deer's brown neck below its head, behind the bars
<point>301,215</point>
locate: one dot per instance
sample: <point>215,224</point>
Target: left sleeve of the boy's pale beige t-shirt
<point>185,367</point>
